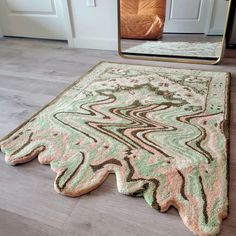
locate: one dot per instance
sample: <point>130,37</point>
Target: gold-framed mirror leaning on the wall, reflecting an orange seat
<point>173,30</point>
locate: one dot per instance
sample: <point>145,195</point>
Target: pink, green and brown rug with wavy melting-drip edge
<point>162,131</point>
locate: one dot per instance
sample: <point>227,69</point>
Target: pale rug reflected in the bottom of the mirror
<point>184,49</point>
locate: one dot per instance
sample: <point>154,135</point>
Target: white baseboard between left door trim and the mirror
<point>95,43</point>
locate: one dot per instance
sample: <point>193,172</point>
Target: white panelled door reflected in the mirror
<point>188,16</point>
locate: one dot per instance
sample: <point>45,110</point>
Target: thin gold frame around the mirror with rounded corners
<point>180,60</point>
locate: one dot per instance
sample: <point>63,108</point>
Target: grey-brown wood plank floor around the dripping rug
<point>32,72</point>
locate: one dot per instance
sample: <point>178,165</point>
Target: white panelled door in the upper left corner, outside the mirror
<point>35,19</point>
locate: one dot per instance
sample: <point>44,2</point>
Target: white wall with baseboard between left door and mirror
<point>94,27</point>
